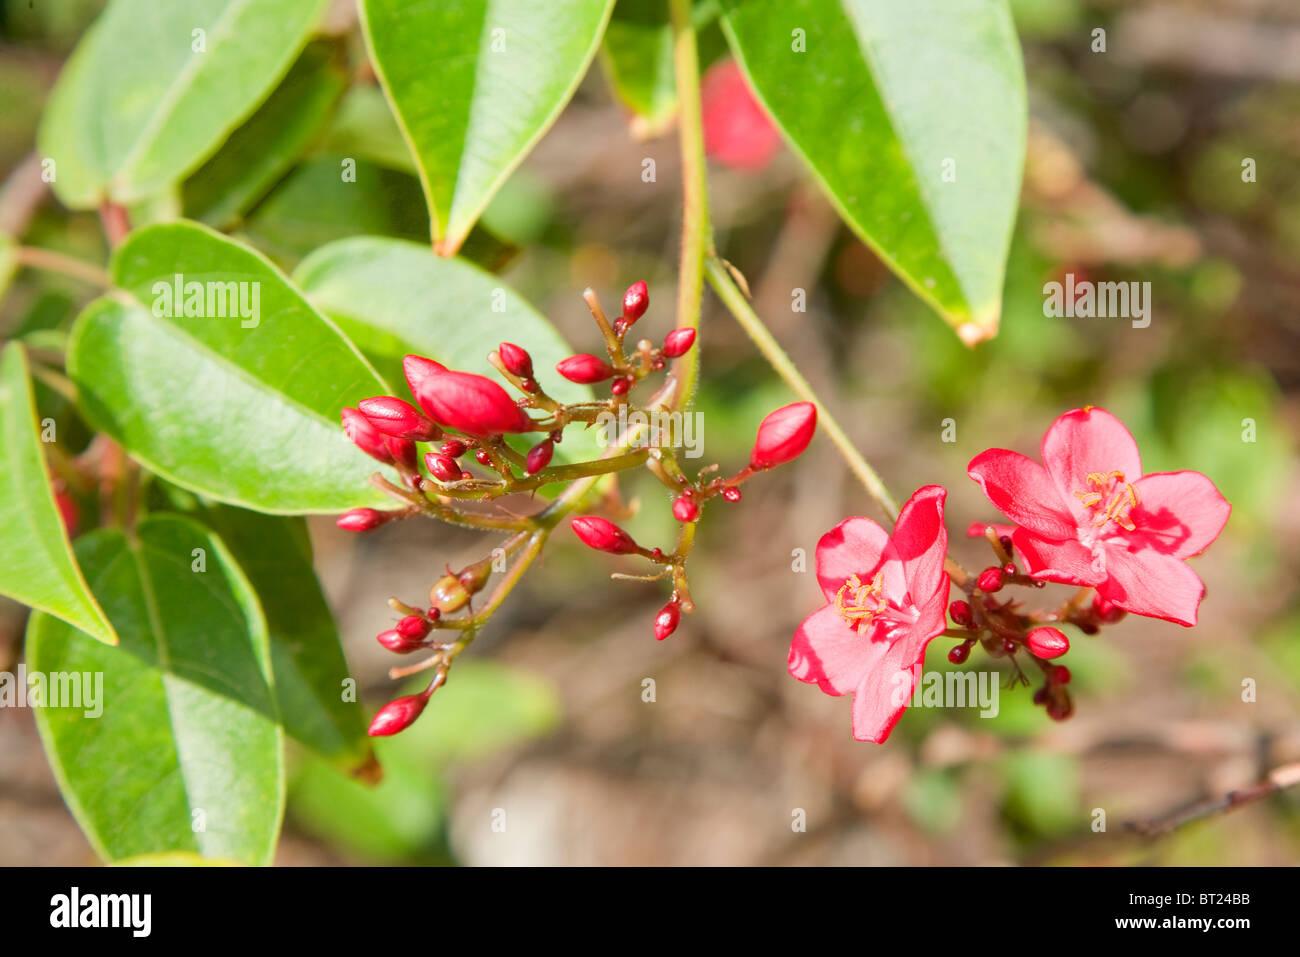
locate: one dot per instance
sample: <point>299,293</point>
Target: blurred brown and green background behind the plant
<point>1134,174</point>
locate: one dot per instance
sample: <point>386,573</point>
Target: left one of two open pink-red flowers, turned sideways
<point>887,599</point>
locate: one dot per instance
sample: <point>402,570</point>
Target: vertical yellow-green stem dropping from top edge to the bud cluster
<point>695,188</point>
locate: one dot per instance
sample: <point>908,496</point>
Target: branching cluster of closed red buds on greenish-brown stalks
<point>463,417</point>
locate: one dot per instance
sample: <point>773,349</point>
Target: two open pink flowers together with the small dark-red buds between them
<point>1086,517</point>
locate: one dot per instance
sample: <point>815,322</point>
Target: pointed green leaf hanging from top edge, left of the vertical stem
<point>475,85</point>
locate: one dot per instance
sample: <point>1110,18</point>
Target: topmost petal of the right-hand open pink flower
<point>1085,441</point>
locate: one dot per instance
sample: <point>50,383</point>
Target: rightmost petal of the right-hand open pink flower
<point>1178,514</point>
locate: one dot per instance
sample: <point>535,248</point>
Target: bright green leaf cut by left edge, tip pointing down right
<point>38,566</point>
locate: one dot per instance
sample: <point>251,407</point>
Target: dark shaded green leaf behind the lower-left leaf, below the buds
<point>306,656</point>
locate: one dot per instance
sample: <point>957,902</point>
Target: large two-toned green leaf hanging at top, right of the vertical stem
<point>913,119</point>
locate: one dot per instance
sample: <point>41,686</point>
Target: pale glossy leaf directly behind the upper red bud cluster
<point>393,298</point>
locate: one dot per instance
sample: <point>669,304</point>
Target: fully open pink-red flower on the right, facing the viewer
<point>1090,517</point>
